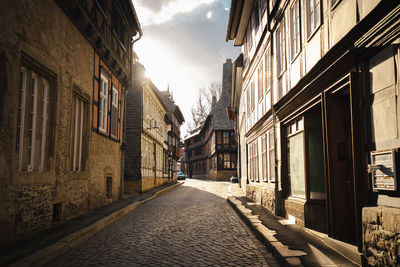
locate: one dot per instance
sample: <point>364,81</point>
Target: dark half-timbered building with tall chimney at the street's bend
<point>211,149</point>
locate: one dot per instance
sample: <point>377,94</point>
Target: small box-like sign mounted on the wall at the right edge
<point>383,170</point>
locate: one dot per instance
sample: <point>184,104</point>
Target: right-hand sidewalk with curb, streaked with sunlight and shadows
<point>291,244</point>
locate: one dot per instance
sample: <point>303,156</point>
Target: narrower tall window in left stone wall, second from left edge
<point>79,132</point>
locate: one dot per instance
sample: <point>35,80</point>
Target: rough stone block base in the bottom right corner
<point>381,235</point>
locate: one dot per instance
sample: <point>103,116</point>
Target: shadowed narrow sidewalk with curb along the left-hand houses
<point>43,247</point>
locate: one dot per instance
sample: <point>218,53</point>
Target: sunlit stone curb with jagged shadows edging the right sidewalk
<point>285,255</point>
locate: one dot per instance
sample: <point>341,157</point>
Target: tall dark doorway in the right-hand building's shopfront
<point>340,165</point>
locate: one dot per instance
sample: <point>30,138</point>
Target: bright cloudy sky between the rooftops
<point>183,46</point>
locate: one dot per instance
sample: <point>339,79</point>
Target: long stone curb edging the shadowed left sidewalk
<point>50,253</point>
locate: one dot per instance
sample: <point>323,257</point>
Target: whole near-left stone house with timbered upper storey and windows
<point>56,160</point>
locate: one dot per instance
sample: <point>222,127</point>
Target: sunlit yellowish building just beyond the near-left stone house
<point>146,135</point>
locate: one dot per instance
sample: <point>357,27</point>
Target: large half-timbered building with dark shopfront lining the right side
<point>318,85</point>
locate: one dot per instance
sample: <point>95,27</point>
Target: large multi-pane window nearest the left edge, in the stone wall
<point>34,116</point>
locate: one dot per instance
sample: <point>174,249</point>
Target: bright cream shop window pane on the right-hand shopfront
<point>295,154</point>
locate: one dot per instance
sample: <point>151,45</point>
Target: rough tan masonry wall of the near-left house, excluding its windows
<point>41,32</point>
